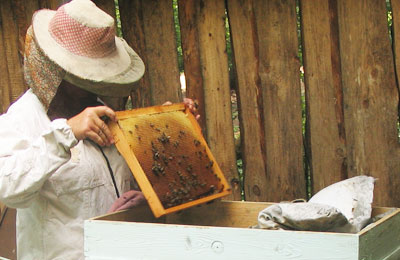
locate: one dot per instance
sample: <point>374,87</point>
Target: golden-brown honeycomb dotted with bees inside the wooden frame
<point>173,155</point>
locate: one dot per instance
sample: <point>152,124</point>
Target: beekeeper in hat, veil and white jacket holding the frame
<point>58,164</point>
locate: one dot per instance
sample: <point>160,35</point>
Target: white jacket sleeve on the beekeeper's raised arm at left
<point>26,162</point>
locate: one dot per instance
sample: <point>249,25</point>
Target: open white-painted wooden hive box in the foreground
<point>220,231</point>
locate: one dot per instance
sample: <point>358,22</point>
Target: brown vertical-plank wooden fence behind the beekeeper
<point>351,86</point>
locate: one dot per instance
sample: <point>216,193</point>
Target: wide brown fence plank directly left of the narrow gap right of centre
<point>280,80</point>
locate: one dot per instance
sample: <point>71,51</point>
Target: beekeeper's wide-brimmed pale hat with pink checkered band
<point>80,38</point>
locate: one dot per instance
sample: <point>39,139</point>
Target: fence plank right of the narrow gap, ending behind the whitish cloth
<point>325,123</point>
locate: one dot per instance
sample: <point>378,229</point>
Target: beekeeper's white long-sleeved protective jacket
<point>54,181</point>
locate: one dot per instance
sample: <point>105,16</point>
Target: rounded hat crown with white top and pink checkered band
<point>83,29</point>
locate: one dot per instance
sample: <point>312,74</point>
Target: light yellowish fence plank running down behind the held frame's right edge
<point>214,69</point>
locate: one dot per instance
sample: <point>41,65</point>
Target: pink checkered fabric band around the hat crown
<point>80,39</point>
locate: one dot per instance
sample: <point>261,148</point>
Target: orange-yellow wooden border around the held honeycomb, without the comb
<point>137,171</point>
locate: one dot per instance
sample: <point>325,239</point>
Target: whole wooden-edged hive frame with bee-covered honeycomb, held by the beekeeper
<point>169,158</point>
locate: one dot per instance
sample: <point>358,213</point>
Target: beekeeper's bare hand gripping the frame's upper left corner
<point>88,124</point>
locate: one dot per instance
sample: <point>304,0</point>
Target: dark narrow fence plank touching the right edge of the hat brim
<point>133,32</point>
